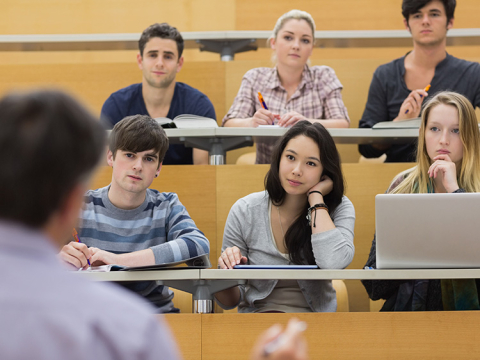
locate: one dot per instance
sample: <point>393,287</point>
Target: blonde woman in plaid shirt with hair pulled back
<point>292,90</point>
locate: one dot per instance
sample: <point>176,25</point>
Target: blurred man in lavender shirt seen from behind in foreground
<point>50,146</point>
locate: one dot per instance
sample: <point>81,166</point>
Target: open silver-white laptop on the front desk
<point>432,231</point>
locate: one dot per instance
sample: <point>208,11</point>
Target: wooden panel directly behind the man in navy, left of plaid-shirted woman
<point>94,82</point>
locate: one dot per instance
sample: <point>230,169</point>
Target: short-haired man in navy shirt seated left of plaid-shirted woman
<point>159,95</point>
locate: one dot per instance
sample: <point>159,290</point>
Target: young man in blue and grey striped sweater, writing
<point>126,223</point>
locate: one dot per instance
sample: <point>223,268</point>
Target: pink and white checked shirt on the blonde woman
<point>317,97</point>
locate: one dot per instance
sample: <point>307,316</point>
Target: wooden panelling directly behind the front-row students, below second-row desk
<point>208,192</point>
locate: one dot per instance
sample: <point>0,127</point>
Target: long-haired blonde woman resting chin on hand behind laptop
<point>448,161</point>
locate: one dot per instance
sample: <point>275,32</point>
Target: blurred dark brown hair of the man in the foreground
<point>49,144</point>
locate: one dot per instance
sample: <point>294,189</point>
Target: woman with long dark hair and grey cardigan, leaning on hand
<point>302,217</point>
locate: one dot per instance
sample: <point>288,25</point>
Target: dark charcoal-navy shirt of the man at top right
<point>388,90</point>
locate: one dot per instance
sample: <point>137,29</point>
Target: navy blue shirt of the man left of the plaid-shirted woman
<point>186,100</point>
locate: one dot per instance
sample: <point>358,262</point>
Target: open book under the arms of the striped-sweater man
<point>197,262</point>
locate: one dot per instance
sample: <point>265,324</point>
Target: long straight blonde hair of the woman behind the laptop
<point>468,176</point>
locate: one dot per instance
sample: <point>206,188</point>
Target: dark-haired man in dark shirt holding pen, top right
<point>397,88</point>
